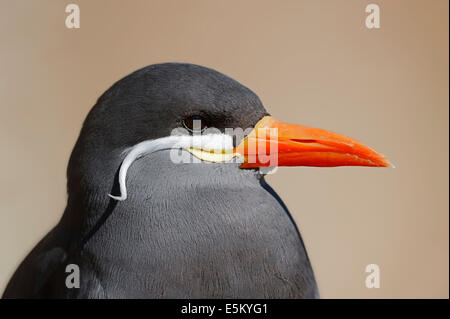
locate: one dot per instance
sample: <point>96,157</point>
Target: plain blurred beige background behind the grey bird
<point>311,62</point>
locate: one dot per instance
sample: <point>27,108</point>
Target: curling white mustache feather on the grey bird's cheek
<point>208,142</point>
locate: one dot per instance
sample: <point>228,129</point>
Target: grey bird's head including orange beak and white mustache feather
<point>208,115</point>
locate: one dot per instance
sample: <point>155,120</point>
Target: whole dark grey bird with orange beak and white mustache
<point>178,148</point>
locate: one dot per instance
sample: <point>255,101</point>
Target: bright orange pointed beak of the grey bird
<point>274,143</point>
